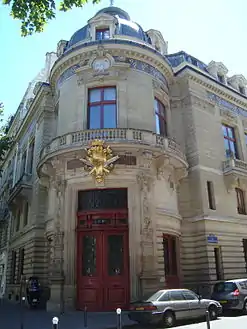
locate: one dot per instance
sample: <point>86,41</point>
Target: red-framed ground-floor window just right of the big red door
<point>170,255</point>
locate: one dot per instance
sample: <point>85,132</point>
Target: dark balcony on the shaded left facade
<point>22,188</point>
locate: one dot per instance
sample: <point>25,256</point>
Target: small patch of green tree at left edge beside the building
<point>5,140</point>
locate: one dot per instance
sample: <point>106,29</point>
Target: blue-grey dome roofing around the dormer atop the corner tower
<point>124,26</point>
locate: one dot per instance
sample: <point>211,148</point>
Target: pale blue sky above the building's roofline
<point>209,30</point>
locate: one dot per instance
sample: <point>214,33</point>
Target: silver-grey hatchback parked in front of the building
<point>168,306</point>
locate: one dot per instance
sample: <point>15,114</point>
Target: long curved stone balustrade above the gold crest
<point>117,135</point>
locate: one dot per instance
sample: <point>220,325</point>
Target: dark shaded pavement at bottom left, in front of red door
<point>10,318</point>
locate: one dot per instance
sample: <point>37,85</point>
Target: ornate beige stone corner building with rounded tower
<point>128,171</point>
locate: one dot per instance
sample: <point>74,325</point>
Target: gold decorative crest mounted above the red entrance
<point>99,160</point>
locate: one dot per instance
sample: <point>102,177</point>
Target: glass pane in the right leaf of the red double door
<point>115,255</point>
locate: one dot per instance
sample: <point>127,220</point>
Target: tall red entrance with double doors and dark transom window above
<point>102,250</point>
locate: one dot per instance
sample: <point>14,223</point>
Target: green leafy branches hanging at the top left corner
<point>35,14</point>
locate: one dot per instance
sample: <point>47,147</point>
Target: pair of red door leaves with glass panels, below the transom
<point>102,270</point>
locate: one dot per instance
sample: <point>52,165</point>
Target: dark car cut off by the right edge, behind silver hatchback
<point>231,294</point>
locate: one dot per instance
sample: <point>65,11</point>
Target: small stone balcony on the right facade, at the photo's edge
<point>235,171</point>
